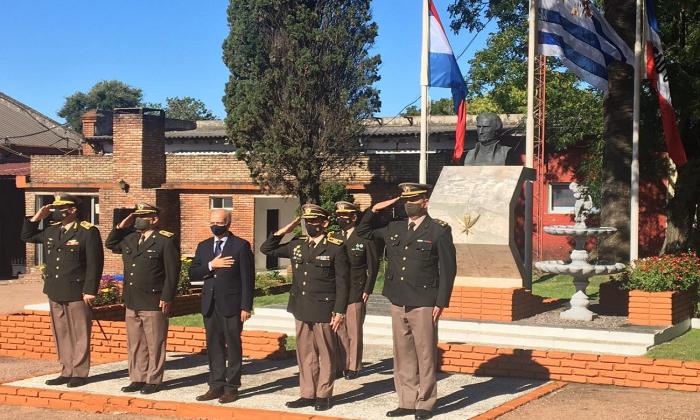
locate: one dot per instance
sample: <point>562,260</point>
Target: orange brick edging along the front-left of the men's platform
<point>96,403</point>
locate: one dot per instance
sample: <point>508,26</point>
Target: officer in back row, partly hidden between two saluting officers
<point>364,264</point>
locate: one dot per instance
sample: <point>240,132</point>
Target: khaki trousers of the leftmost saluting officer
<point>72,325</point>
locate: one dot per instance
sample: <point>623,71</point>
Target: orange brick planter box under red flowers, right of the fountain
<point>659,308</point>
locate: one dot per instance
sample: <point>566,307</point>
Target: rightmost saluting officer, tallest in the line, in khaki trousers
<point>420,274</point>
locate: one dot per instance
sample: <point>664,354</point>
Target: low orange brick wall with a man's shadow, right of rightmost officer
<point>628,371</point>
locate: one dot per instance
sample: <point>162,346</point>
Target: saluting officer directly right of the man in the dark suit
<point>317,300</point>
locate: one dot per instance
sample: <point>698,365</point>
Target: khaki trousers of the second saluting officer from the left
<point>146,335</point>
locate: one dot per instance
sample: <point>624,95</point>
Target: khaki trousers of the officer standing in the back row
<point>350,338</point>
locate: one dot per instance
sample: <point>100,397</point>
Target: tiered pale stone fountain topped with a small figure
<point>579,267</point>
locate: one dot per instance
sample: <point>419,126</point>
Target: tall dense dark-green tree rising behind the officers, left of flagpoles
<point>301,83</point>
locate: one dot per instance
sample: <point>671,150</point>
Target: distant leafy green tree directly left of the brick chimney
<point>107,95</point>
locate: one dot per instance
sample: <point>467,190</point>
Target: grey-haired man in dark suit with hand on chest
<point>225,263</point>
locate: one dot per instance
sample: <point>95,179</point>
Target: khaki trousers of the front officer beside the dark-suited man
<point>315,356</point>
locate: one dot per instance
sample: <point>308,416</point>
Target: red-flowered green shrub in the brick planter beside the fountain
<point>664,274</point>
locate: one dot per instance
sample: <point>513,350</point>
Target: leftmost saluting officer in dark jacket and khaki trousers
<point>74,260</point>
